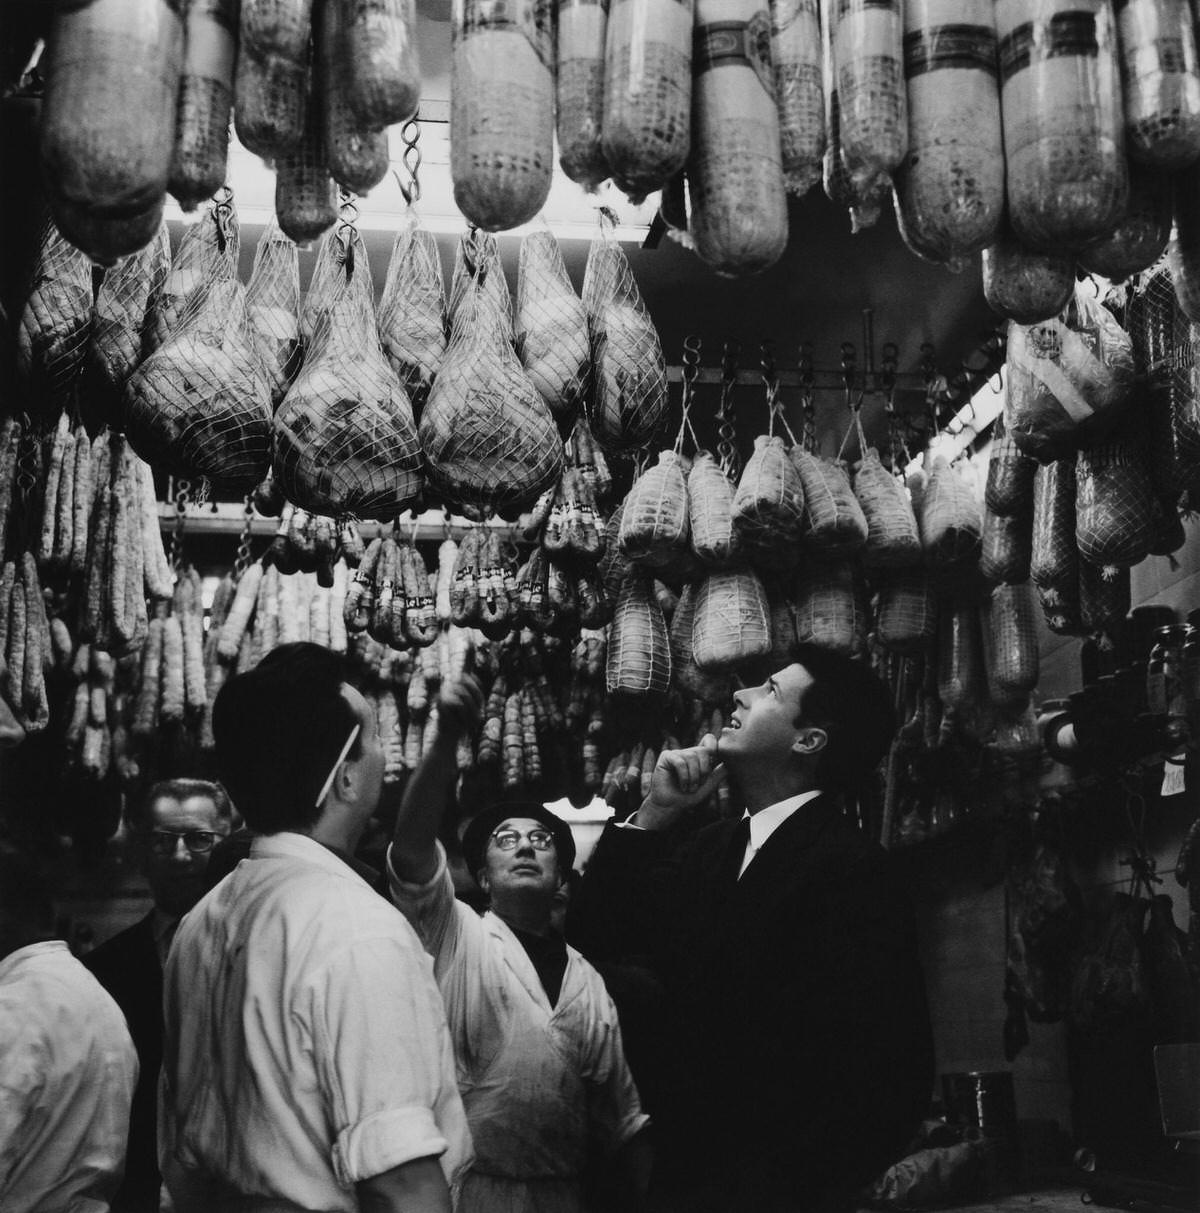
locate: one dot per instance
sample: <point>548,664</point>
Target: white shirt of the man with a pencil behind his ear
<point>306,1047</point>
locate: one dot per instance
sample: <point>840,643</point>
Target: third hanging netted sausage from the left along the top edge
<point>271,83</point>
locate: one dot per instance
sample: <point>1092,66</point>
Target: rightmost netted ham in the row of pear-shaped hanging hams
<point>629,398</point>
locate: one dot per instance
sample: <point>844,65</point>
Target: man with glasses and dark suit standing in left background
<point>175,833</point>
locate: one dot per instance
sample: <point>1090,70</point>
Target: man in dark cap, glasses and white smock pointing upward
<point>536,1035</point>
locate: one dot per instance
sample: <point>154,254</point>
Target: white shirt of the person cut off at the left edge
<point>67,1075</point>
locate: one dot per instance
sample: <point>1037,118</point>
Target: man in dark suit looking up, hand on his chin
<point>797,1051</point>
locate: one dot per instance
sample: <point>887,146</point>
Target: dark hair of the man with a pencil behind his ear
<point>280,730</point>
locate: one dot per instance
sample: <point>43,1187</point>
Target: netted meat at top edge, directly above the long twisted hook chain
<point>383,79</point>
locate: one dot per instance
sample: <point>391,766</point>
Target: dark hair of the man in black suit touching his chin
<point>852,704</point>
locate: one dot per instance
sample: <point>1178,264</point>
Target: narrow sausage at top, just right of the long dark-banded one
<point>800,98</point>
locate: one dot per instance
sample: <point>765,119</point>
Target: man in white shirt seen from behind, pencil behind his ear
<point>306,1063</point>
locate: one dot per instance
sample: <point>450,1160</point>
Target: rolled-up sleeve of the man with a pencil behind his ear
<point>384,1058</point>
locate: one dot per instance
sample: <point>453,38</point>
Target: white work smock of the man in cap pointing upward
<point>541,1084</point>
